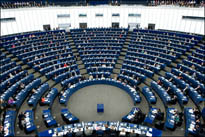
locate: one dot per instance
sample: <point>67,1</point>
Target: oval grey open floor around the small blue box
<point>83,103</point>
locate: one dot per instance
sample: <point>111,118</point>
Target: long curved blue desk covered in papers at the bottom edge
<point>99,127</point>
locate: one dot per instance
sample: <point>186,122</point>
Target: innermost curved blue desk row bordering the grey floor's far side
<point>131,91</point>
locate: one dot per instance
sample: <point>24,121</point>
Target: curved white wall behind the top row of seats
<point>170,18</point>
